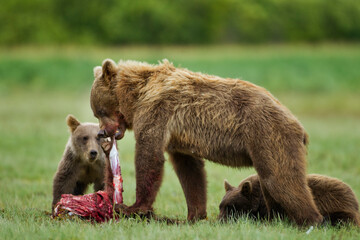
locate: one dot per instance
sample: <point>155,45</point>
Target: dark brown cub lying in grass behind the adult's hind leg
<point>335,200</point>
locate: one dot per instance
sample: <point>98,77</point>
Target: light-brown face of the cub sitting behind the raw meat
<point>85,140</point>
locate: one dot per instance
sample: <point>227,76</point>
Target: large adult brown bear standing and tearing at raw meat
<point>194,116</point>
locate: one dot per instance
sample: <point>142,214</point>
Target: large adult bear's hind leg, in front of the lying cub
<point>283,176</point>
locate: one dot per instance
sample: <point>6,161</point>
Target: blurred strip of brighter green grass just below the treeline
<point>324,68</point>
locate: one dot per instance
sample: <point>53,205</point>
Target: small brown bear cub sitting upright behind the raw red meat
<point>82,163</point>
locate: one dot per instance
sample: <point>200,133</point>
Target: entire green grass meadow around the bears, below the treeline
<point>39,87</point>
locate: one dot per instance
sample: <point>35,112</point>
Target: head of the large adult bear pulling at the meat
<point>104,102</point>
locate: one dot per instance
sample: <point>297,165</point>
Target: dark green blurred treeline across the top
<point>177,21</point>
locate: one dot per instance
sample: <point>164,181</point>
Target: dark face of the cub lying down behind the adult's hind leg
<point>236,202</point>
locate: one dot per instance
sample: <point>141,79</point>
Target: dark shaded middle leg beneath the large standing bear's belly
<point>190,171</point>
